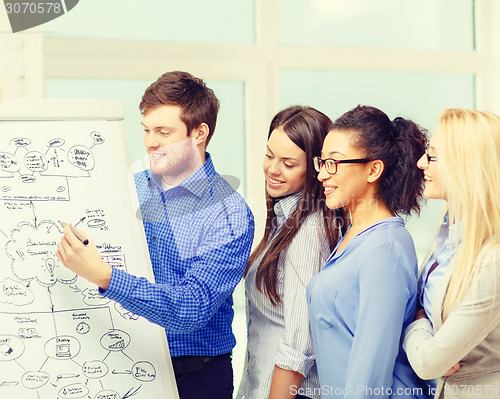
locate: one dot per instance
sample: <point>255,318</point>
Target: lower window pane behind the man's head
<point>229,133</point>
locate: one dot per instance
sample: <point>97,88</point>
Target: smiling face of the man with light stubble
<point>172,152</point>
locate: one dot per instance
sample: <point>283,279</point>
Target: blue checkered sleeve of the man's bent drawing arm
<point>214,273</point>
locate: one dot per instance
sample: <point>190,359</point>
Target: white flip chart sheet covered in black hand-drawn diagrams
<point>60,338</point>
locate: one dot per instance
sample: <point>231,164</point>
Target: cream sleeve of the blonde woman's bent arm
<point>468,324</point>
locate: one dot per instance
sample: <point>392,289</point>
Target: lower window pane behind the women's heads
<point>416,96</point>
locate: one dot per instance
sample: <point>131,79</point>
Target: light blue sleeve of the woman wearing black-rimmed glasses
<point>386,285</point>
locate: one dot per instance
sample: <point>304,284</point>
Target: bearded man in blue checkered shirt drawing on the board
<point>199,232</point>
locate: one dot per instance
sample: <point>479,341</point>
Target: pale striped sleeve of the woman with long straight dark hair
<point>303,259</point>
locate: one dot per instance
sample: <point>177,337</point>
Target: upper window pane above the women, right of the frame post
<point>423,24</point>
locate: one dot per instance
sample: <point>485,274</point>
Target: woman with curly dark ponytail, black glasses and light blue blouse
<point>366,293</point>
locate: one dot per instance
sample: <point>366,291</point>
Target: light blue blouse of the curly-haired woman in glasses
<point>359,304</point>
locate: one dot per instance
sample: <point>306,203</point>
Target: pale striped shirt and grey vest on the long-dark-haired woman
<point>280,335</point>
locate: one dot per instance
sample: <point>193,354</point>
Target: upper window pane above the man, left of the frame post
<point>216,21</point>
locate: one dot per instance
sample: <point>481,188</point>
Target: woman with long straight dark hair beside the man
<point>299,235</point>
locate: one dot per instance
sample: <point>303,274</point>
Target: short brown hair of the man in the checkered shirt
<point>198,102</point>
